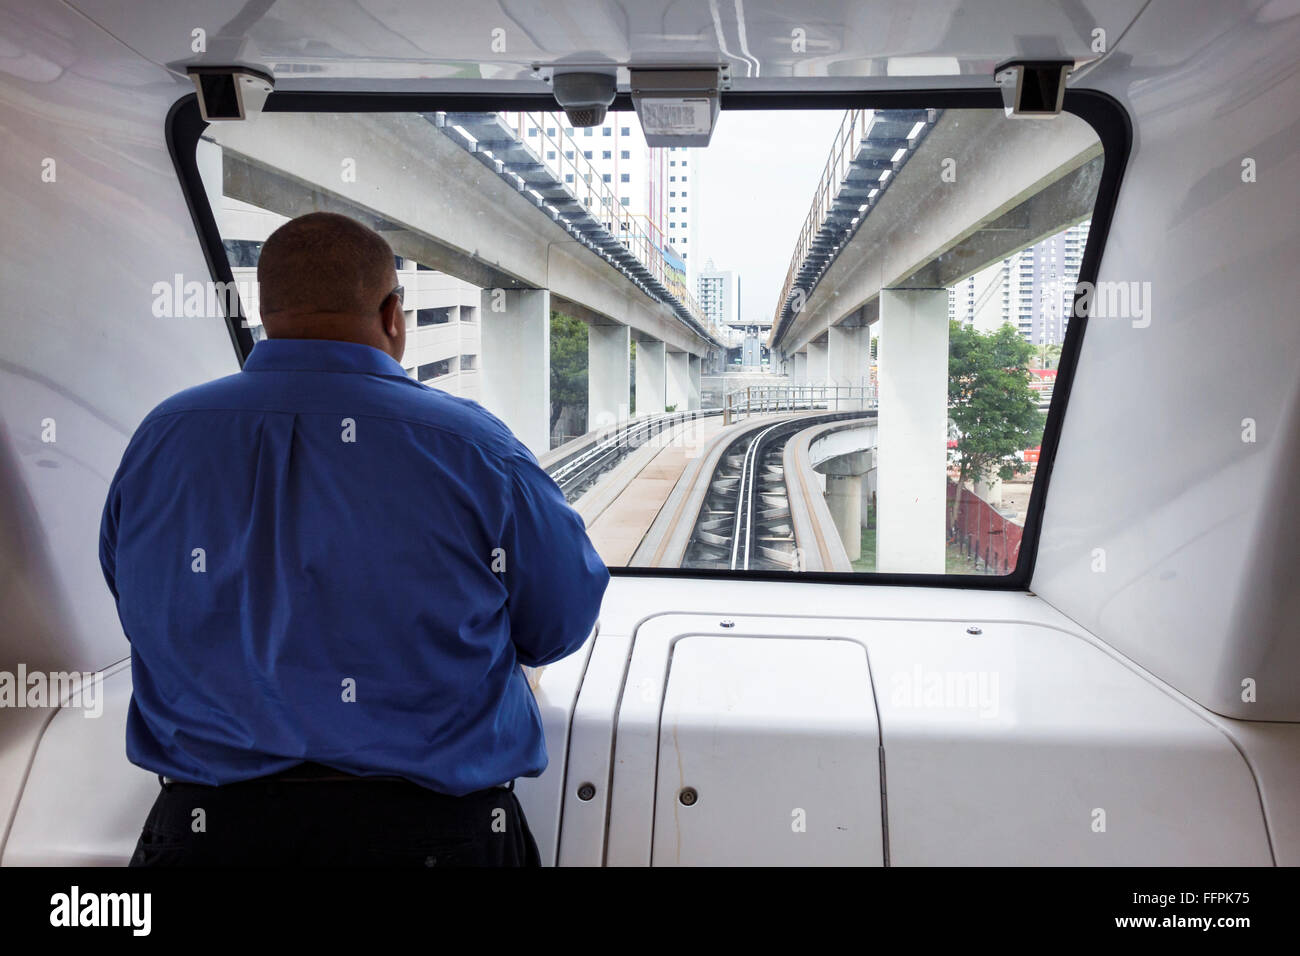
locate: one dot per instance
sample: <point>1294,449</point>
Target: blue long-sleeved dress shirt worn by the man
<point>318,559</point>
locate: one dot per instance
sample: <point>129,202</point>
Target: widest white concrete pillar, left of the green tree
<point>913,432</point>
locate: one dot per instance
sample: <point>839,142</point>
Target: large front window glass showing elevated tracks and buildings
<point>850,375</point>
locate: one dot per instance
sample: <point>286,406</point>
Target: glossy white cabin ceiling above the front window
<point>396,45</point>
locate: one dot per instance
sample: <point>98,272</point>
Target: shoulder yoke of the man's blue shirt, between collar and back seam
<point>365,397</point>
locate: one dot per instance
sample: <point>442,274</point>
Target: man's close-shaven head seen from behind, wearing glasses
<point>328,276</point>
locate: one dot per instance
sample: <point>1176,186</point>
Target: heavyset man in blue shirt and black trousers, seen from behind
<point>330,577</point>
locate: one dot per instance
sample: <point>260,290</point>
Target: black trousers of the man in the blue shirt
<point>357,823</point>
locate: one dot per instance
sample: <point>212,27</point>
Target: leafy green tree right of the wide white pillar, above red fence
<point>991,404</point>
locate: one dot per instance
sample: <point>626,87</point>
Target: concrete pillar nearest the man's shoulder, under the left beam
<point>517,362</point>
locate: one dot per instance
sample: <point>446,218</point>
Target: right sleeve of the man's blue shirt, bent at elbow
<point>554,577</point>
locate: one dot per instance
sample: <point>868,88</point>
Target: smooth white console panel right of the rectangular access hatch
<point>1025,746</point>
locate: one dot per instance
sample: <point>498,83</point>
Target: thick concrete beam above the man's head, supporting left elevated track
<point>434,202</point>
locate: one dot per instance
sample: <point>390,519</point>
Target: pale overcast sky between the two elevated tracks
<point>755,187</point>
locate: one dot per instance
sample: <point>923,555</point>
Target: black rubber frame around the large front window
<point>184,128</point>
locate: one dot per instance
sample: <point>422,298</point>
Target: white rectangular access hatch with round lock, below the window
<point>777,742</point>
